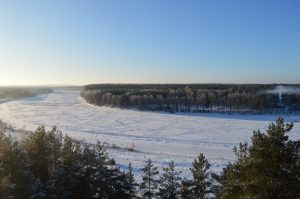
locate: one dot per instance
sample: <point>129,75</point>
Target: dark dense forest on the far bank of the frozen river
<point>241,98</point>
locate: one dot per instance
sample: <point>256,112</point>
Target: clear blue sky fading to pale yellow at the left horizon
<point>149,41</point>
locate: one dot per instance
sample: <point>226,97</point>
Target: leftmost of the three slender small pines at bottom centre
<point>149,184</point>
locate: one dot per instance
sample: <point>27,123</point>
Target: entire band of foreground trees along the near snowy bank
<point>48,165</point>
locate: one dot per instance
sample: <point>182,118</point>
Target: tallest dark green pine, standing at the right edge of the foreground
<point>273,160</point>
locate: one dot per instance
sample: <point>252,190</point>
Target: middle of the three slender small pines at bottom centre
<point>170,182</point>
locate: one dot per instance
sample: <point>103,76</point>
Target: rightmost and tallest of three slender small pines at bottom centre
<point>201,177</point>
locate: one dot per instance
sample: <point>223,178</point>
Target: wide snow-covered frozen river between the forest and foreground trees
<point>159,136</point>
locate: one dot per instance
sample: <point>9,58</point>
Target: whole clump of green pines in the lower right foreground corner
<point>267,169</point>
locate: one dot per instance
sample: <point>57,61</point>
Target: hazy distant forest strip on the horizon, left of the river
<point>7,93</point>
